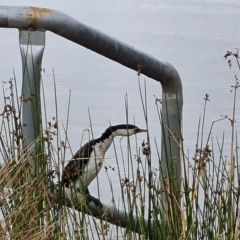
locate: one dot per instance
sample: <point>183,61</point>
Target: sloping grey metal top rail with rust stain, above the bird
<point>32,18</point>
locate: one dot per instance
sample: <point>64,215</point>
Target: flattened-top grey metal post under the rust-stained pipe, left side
<point>32,45</point>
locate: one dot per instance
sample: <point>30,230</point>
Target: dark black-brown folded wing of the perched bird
<point>73,170</point>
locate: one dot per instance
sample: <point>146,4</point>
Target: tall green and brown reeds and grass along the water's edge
<point>38,207</point>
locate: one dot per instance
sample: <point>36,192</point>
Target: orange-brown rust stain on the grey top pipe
<point>33,15</point>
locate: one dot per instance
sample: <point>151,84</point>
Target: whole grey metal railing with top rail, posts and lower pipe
<point>33,22</point>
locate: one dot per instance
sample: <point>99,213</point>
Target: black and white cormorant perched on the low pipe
<point>88,160</point>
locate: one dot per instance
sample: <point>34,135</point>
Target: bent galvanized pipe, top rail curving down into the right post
<point>42,19</point>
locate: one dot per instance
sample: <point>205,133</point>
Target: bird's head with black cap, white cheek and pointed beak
<point>123,130</point>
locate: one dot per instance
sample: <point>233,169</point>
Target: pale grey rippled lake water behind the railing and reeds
<point>192,35</point>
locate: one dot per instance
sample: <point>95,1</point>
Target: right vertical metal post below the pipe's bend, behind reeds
<point>171,162</point>
